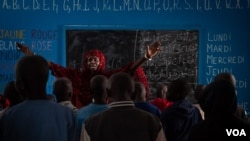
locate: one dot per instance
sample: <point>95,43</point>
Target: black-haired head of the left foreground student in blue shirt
<point>32,73</point>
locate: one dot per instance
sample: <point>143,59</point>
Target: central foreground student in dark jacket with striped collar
<point>122,121</point>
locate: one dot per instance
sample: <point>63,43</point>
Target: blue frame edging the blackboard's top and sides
<point>137,27</point>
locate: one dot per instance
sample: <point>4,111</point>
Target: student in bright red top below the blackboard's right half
<point>160,101</point>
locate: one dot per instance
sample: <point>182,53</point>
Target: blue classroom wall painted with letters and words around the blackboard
<point>223,27</point>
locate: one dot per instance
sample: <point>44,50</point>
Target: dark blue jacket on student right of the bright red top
<point>178,119</point>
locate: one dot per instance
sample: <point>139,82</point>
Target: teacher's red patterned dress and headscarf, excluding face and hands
<point>81,78</point>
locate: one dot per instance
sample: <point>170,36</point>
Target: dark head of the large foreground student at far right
<point>218,97</point>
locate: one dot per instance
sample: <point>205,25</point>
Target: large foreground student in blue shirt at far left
<point>36,118</point>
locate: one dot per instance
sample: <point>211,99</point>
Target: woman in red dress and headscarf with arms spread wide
<point>93,64</point>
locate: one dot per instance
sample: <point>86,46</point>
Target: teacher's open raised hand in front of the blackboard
<point>152,50</point>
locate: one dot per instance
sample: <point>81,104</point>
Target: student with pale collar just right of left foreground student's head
<point>63,90</point>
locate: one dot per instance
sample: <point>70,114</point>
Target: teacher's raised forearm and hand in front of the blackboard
<point>150,52</point>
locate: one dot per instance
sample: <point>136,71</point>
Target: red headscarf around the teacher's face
<point>97,53</point>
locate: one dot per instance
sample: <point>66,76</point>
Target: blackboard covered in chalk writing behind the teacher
<point>178,56</point>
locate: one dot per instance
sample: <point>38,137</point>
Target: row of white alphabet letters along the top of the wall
<point>123,5</point>
